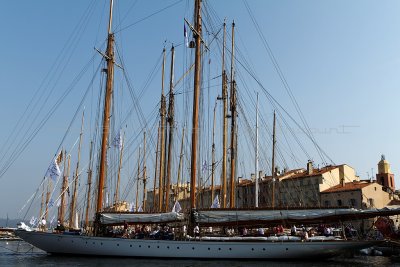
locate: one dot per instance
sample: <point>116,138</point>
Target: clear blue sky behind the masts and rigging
<point>340,59</point>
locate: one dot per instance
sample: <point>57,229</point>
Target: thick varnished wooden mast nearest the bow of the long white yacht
<point>107,111</point>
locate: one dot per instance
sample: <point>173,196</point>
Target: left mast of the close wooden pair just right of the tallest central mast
<point>225,123</point>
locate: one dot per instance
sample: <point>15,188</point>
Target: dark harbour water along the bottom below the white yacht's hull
<point>18,253</point>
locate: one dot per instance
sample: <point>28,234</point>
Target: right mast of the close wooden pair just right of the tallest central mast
<point>233,123</point>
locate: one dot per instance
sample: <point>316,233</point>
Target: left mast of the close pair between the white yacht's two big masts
<point>162,141</point>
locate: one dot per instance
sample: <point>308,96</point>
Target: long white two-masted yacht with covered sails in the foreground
<point>200,248</point>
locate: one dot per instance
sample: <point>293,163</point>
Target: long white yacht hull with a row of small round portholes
<point>105,246</point>
